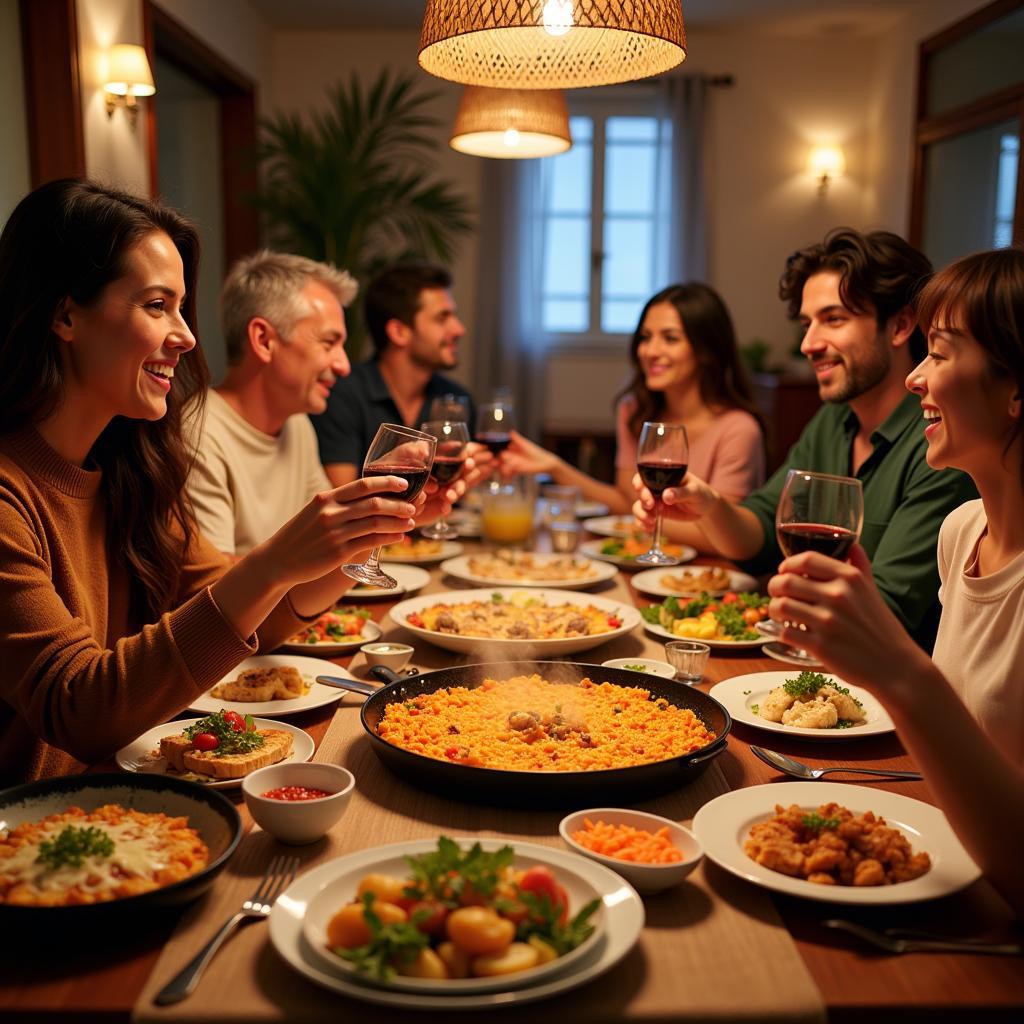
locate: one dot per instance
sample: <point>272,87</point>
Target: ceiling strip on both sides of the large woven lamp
<point>798,17</point>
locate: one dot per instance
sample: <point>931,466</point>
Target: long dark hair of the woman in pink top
<point>721,376</point>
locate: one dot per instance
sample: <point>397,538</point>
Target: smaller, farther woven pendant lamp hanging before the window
<point>511,123</point>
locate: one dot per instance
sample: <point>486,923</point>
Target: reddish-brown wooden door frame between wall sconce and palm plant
<point>172,41</point>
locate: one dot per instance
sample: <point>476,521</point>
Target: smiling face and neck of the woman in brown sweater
<point>123,349</point>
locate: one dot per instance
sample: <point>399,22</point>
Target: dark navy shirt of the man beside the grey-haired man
<point>360,404</point>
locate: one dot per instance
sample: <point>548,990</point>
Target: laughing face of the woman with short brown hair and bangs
<point>969,410</point>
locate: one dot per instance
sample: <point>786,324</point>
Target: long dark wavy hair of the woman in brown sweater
<point>70,239</point>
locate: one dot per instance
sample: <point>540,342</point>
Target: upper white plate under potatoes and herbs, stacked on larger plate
<point>388,861</point>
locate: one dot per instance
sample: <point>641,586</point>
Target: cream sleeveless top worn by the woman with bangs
<point>980,645</point>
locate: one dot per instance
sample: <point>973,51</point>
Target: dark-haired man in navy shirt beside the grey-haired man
<point>416,333</point>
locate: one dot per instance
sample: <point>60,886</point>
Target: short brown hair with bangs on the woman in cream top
<point>984,296</point>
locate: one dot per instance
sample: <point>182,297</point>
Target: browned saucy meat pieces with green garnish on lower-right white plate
<point>833,846</point>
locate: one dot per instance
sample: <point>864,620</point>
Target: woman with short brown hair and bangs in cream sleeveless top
<point>960,713</point>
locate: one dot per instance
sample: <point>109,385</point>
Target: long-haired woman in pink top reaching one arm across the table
<point>687,370</point>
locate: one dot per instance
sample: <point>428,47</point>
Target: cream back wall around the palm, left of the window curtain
<point>306,65</point>
